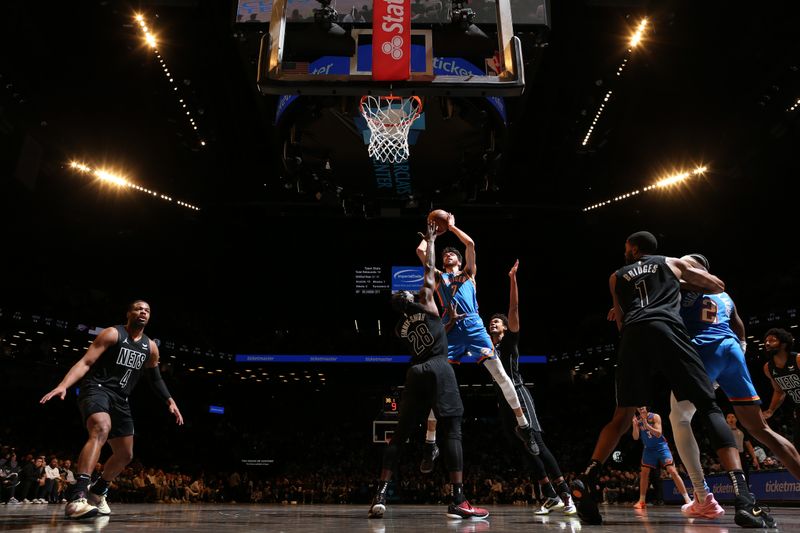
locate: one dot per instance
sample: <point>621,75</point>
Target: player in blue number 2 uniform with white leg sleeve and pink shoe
<point>718,335</point>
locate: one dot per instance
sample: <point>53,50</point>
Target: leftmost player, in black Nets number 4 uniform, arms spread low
<point>110,369</point>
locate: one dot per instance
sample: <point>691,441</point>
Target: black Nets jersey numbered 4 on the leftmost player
<point>119,368</point>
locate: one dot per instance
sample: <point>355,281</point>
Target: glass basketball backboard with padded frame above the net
<point>309,52</point>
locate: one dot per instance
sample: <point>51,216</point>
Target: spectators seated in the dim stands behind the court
<point>33,478</point>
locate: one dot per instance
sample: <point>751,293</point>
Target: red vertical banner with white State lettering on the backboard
<point>391,40</point>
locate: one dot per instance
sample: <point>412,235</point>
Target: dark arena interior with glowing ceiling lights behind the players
<point>142,155</point>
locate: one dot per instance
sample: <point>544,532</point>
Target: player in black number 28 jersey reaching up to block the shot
<point>430,384</point>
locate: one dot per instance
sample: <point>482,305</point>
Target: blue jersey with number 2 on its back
<point>707,317</point>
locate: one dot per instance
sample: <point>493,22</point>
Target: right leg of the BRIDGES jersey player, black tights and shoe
<point>682,366</point>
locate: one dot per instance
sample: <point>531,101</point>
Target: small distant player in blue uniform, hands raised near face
<point>647,428</point>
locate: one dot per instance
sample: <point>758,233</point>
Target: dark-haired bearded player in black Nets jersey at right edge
<point>783,371</point>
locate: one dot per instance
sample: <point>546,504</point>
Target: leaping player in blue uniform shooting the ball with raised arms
<point>457,293</point>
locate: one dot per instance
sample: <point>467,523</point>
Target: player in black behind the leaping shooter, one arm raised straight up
<point>504,331</point>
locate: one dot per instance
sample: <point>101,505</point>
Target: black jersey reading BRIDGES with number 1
<point>649,290</point>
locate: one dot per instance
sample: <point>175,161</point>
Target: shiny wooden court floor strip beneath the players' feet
<point>199,518</point>
